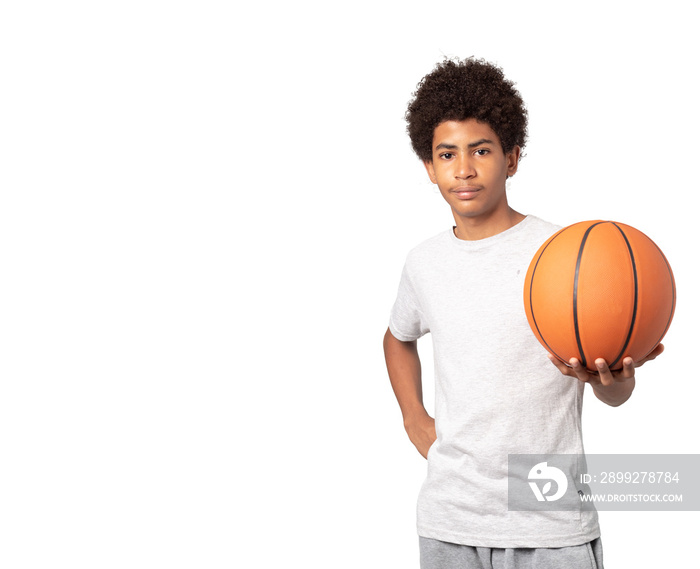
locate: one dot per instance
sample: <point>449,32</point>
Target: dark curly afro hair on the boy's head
<point>460,90</point>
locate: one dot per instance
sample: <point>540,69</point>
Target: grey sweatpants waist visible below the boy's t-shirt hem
<point>436,554</point>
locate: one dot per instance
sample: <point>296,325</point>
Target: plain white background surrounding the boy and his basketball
<point>205,211</point>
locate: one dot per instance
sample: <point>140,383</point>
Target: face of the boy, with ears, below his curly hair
<point>470,169</point>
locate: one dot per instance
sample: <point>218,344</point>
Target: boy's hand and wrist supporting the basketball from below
<point>611,387</point>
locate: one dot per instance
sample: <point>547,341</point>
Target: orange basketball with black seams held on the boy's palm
<point>599,289</point>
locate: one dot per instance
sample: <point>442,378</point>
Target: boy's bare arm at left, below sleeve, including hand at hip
<point>403,365</point>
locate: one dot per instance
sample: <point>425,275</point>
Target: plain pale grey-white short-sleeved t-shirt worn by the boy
<point>496,392</point>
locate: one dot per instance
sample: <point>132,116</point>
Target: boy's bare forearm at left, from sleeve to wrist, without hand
<point>404,367</point>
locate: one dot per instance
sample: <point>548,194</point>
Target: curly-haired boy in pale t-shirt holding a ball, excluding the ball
<point>496,391</point>
